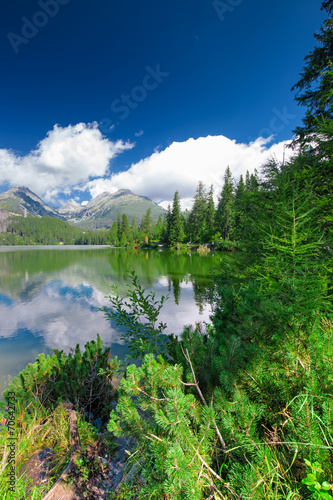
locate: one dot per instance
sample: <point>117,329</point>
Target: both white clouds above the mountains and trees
<point>78,157</point>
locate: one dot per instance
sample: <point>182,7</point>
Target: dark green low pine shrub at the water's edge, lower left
<point>83,379</point>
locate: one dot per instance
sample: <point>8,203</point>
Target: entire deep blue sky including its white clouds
<point>152,96</point>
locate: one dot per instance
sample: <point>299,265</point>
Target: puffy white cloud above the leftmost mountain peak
<point>66,157</point>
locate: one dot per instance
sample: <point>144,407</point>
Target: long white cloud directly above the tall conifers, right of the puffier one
<point>183,164</point>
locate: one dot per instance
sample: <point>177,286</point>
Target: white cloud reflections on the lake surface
<point>71,318</point>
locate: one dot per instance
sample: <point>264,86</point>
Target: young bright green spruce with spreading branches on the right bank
<point>291,267</point>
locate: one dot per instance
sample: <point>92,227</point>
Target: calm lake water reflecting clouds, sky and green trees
<point>49,296</point>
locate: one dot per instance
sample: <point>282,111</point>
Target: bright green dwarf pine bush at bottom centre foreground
<point>174,434</point>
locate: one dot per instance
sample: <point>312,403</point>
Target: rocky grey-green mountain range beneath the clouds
<point>100,212</point>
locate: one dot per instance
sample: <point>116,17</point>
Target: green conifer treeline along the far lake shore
<point>204,223</point>
